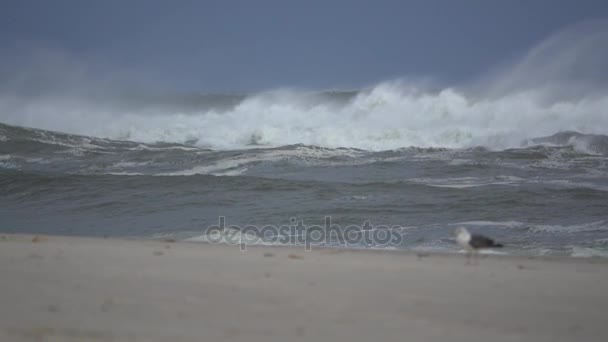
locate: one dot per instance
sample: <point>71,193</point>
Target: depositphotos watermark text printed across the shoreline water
<point>299,234</point>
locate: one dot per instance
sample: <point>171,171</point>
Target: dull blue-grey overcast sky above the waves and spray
<point>246,45</point>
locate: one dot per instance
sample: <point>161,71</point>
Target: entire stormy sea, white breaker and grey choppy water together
<point>533,174</point>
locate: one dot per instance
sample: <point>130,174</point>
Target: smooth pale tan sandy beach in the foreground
<point>81,289</point>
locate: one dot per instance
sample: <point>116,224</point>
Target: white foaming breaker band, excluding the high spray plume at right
<point>389,116</point>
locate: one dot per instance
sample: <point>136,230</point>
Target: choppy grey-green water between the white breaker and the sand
<point>547,196</point>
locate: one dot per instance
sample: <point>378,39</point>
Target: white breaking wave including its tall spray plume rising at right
<point>559,85</point>
